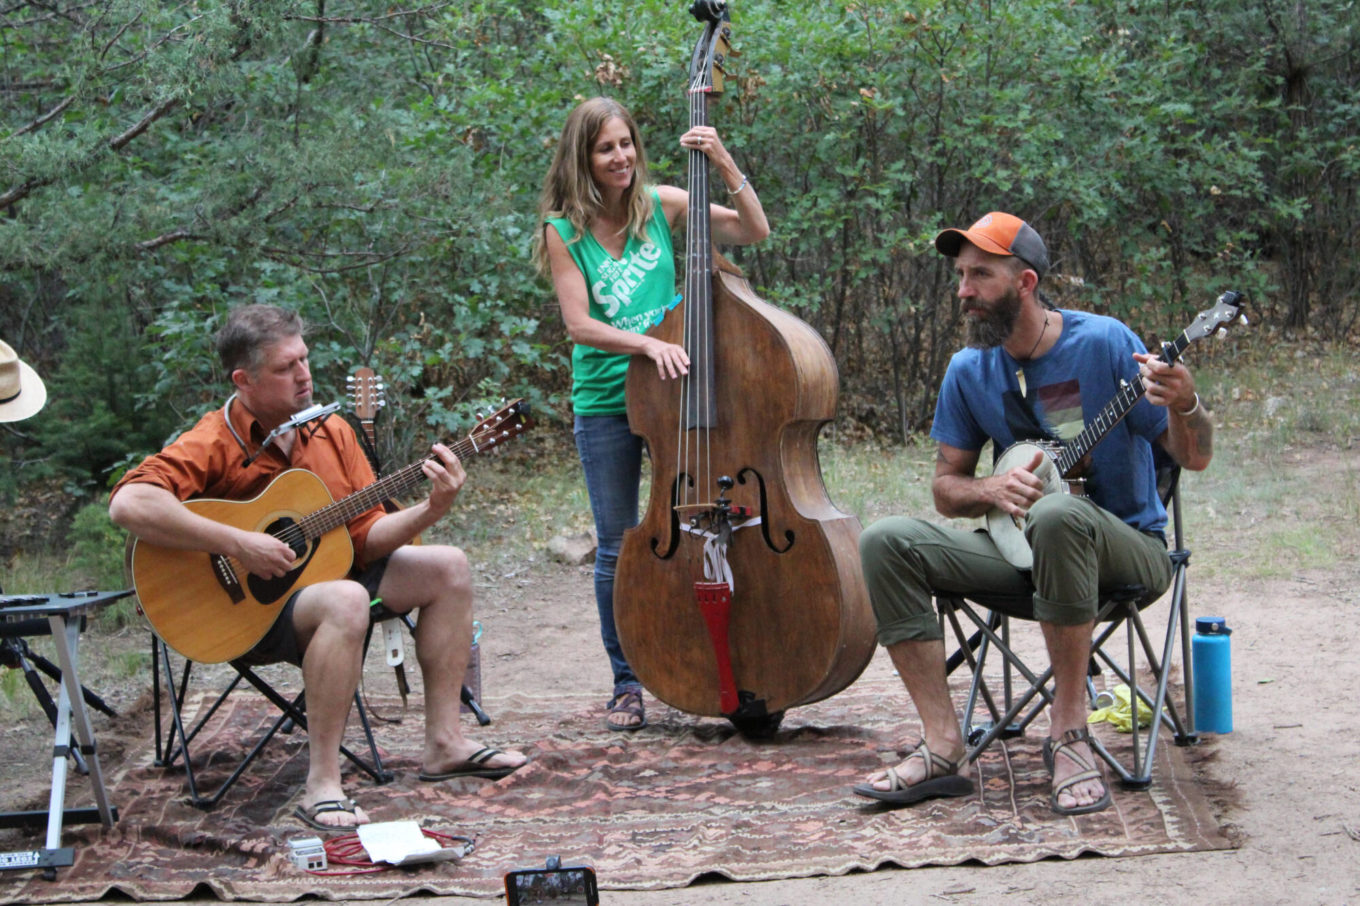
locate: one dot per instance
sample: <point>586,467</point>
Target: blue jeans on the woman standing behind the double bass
<point>611,456</point>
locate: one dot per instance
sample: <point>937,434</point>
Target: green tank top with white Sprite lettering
<point>629,293</point>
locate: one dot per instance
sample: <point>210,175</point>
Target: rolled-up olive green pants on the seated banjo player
<point>1079,552</point>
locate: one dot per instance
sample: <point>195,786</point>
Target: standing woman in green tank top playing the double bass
<point>606,244</point>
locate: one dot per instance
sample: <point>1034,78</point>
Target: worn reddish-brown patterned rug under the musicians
<point>652,810</point>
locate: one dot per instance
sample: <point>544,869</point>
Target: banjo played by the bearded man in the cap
<point>1060,460</point>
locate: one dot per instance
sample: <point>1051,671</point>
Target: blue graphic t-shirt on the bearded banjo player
<point>983,398</point>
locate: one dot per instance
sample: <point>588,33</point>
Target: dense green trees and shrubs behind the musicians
<point>379,167</point>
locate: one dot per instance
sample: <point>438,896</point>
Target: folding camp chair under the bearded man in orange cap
<point>1025,694</point>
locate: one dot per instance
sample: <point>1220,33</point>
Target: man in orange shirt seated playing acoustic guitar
<point>228,455</point>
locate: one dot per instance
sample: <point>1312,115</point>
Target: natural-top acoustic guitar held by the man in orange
<point>211,610</point>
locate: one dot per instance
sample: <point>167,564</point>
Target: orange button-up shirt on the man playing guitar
<point>207,462</point>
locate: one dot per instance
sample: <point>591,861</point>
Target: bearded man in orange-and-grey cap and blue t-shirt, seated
<point>1030,372</point>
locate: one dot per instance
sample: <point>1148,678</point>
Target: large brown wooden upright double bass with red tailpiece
<point>741,592</point>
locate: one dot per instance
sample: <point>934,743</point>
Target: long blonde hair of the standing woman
<point>569,190</point>
